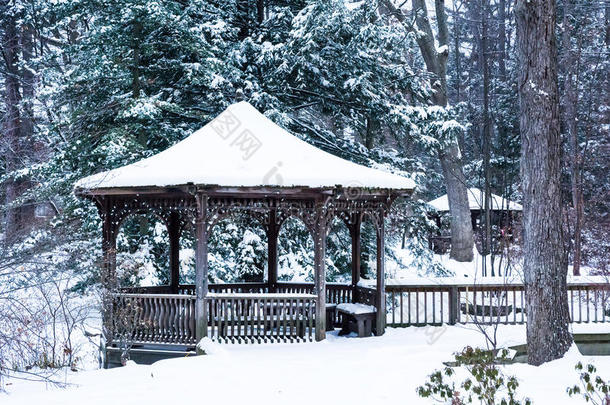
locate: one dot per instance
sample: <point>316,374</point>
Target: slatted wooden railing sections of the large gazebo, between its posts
<point>237,312</point>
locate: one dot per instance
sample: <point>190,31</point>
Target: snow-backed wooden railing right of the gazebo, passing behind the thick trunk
<point>435,304</point>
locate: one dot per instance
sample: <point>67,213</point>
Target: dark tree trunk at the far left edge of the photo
<point>11,131</point>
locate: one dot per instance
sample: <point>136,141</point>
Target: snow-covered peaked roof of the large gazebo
<point>242,150</point>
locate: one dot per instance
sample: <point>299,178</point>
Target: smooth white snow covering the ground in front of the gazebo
<point>339,370</point>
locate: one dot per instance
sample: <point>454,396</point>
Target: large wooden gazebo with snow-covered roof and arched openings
<point>240,162</point>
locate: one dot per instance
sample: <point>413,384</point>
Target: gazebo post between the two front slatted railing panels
<point>201,266</point>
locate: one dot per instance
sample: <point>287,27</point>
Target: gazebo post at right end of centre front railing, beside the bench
<point>320,273</point>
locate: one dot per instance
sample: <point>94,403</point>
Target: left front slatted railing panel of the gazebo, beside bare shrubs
<point>153,318</point>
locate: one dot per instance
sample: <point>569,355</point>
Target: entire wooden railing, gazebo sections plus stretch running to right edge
<point>249,312</point>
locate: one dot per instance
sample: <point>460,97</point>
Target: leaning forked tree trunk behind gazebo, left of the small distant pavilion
<point>450,157</point>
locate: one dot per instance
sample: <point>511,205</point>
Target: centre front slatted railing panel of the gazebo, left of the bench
<point>260,318</point>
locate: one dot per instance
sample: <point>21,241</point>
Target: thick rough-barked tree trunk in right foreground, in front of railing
<point>544,258</point>
